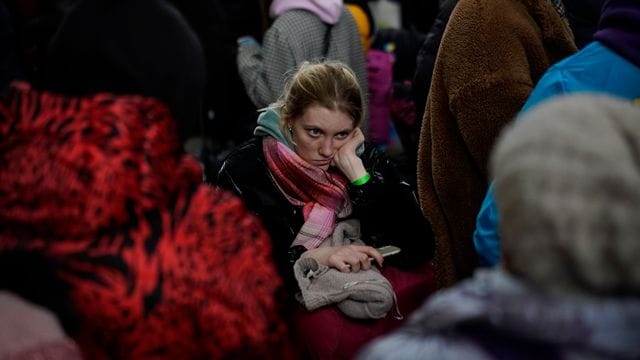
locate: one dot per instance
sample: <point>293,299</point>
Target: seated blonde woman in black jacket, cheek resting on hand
<point>309,169</point>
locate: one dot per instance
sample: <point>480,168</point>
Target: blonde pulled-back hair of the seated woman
<point>330,84</point>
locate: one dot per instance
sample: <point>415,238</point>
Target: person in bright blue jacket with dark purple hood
<point>609,65</point>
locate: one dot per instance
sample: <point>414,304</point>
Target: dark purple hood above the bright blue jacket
<point>619,28</point>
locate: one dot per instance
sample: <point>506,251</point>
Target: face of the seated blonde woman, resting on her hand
<point>319,133</point>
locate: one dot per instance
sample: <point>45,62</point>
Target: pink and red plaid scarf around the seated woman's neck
<point>322,194</point>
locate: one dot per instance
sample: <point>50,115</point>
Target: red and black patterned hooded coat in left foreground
<point>159,265</point>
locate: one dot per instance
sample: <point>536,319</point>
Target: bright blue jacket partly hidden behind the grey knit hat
<point>596,69</point>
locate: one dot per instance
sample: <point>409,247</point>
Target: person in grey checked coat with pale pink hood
<point>302,30</point>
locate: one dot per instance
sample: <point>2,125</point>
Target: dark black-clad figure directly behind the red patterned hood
<point>143,47</point>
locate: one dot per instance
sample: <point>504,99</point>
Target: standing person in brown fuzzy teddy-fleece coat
<point>491,55</point>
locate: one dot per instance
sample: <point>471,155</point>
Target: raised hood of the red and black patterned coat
<point>75,166</point>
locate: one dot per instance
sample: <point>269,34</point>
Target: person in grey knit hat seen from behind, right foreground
<point>568,181</point>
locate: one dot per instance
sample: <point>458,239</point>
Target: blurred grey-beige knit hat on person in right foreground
<point>567,185</point>
